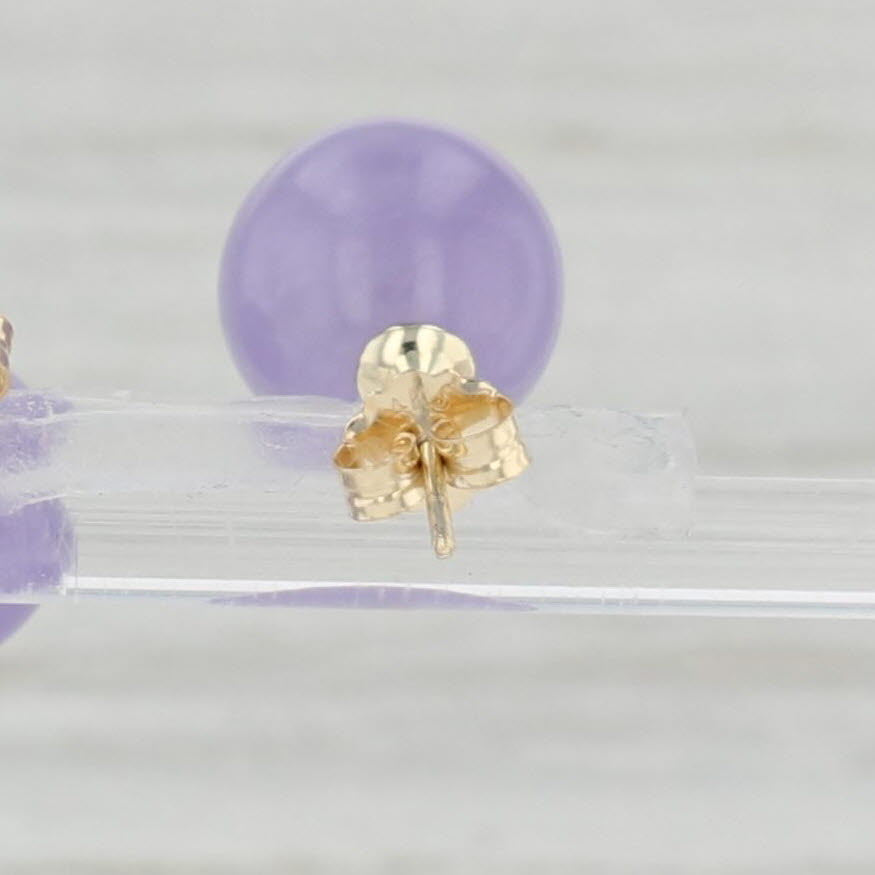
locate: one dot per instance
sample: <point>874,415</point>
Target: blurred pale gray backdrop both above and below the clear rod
<point>709,169</point>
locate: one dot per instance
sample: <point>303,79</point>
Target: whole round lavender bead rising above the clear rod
<point>383,223</point>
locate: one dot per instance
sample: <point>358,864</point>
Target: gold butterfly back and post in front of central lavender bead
<point>428,433</point>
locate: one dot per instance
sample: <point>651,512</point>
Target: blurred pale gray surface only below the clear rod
<point>247,741</point>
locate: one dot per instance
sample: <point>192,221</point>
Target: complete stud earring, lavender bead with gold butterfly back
<point>395,223</point>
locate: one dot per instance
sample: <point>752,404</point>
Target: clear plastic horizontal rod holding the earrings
<point>239,504</point>
